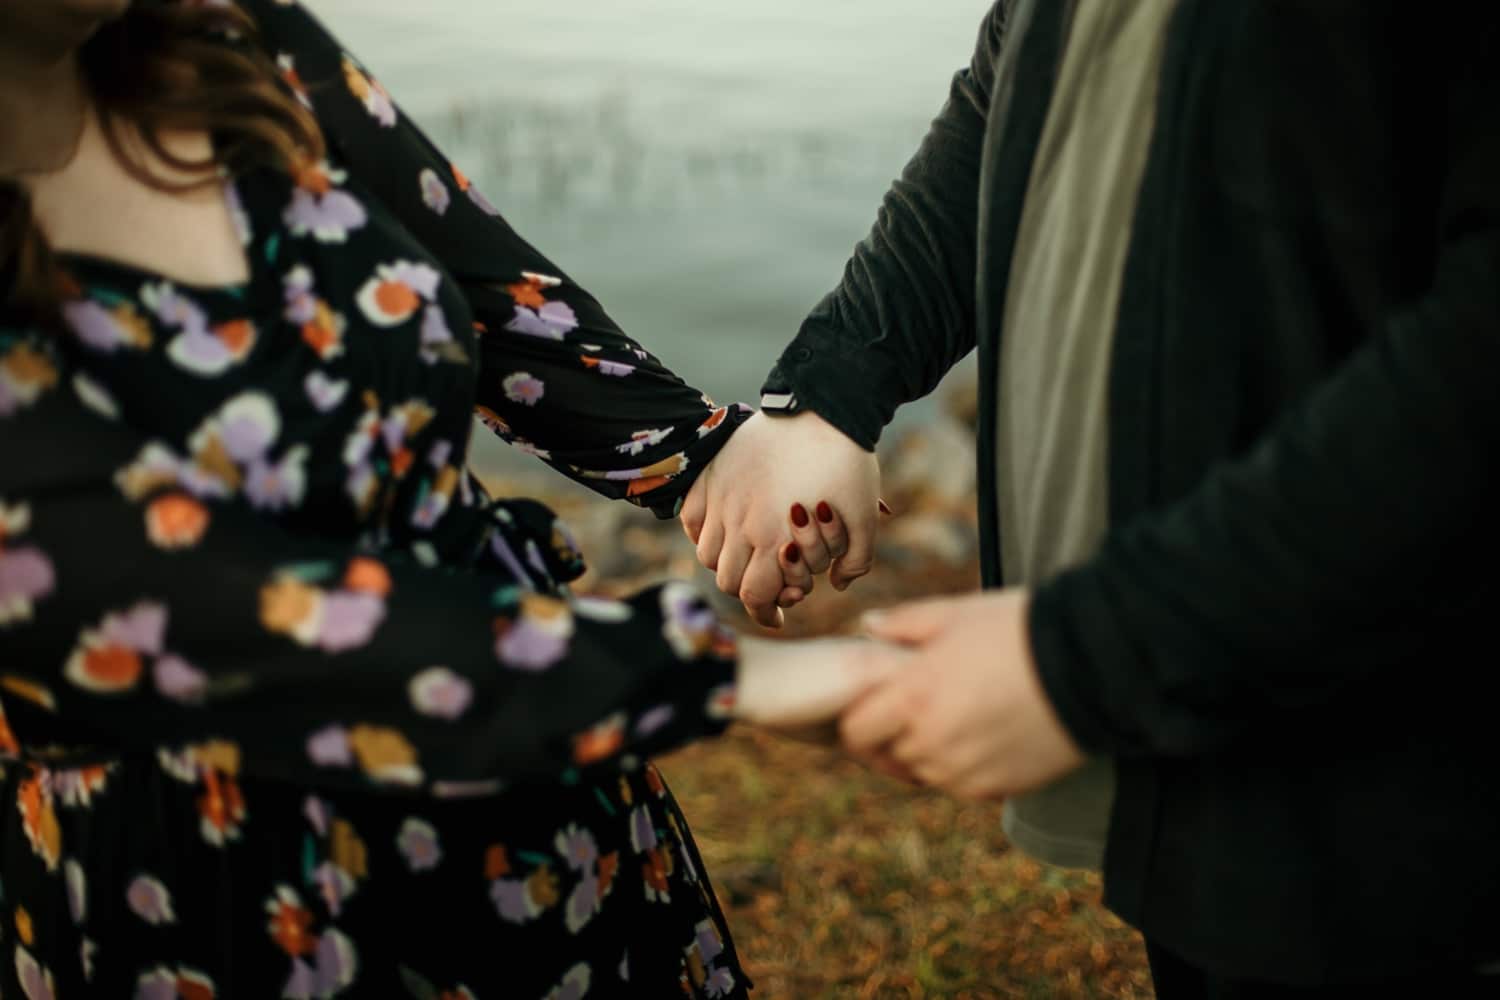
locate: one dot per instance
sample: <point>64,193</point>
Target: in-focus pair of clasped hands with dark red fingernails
<point>740,512</point>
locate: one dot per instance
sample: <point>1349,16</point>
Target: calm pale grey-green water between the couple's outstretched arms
<point>704,167</point>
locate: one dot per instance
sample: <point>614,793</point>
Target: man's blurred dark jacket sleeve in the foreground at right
<point>1351,537</point>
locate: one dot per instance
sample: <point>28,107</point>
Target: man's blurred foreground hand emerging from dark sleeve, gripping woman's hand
<point>968,714</point>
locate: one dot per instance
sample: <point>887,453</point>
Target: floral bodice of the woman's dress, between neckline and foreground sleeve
<point>341,371</point>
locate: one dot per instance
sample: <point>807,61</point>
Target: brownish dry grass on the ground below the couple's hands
<point>842,884</point>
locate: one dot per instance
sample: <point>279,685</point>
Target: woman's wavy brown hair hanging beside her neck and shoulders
<point>160,68</point>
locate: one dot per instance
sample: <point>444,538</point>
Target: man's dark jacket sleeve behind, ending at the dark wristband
<point>905,310</point>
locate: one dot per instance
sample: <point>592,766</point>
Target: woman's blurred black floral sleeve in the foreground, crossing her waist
<point>137,614</point>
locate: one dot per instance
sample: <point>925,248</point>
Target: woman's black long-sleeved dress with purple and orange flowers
<point>289,707</point>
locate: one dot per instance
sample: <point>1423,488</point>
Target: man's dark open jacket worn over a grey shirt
<point>1286,641</point>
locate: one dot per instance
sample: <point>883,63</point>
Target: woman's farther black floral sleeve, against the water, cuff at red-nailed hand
<point>559,377</point>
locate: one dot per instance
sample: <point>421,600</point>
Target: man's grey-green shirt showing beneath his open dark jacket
<point>1055,350</point>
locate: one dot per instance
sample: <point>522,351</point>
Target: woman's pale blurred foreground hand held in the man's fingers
<point>796,687</point>
